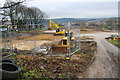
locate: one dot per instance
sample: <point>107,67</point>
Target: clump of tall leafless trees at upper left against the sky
<point>22,15</point>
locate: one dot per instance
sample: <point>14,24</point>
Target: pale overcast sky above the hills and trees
<point>77,8</point>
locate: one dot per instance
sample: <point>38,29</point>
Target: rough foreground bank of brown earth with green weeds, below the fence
<point>52,67</point>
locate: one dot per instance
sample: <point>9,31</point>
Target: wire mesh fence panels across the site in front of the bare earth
<point>58,45</point>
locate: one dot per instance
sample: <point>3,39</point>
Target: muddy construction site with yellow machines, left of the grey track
<point>55,53</point>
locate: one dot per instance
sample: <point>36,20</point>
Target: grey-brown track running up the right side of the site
<point>104,65</point>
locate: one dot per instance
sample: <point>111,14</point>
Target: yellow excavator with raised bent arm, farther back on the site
<point>59,31</point>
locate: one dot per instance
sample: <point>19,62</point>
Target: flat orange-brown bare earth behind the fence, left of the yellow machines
<point>29,42</point>
